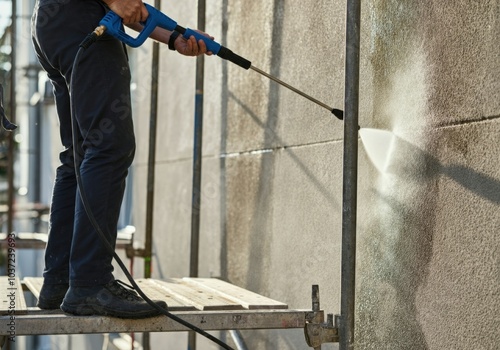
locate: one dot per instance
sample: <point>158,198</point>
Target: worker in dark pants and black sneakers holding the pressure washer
<point>78,270</point>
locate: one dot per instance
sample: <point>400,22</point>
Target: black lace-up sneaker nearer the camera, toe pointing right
<point>113,299</point>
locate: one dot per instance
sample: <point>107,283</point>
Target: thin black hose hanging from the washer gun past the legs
<point>86,43</point>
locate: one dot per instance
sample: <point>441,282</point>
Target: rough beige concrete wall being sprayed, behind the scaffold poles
<point>428,265</point>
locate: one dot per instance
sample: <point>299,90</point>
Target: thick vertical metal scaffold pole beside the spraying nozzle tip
<point>350,175</point>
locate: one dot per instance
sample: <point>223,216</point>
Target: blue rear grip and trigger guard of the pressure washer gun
<point>114,26</point>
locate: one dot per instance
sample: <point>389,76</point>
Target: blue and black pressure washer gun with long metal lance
<point>112,24</point>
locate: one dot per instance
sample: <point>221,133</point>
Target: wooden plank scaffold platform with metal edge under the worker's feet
<point>210,304</point>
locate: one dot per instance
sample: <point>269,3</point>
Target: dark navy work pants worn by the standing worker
<point>101,93</point>
